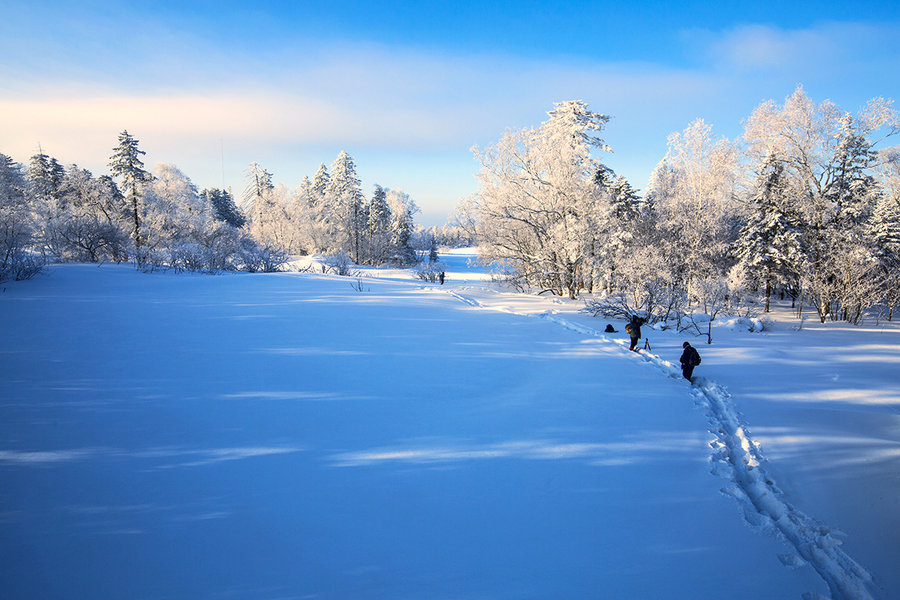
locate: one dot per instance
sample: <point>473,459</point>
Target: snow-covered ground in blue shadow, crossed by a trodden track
<point>297,435</point>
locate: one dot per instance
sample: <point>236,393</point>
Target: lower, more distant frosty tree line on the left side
<point>162,220</point>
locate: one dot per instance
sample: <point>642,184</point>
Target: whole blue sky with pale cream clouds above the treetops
<point>408,88</point>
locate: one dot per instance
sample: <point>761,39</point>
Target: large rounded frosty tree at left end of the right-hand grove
<point>538,200</point>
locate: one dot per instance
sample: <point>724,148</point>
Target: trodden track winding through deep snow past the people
<point>736,457</point>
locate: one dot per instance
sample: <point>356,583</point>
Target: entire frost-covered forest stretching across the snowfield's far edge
<point>804,205</point>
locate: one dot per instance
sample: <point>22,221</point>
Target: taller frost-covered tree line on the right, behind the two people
<point>802,205</point>
